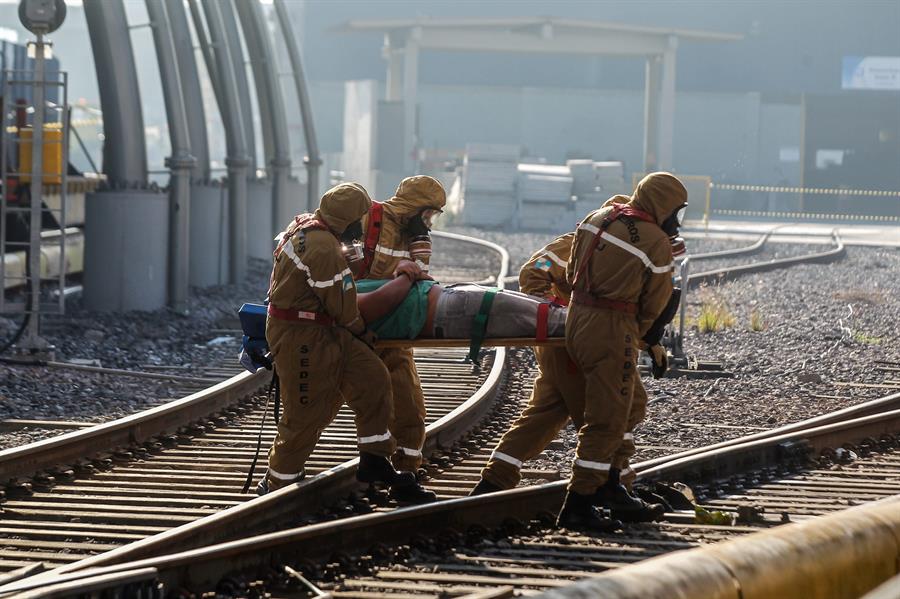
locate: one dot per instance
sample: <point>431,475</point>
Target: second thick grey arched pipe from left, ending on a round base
<point>191,91</point>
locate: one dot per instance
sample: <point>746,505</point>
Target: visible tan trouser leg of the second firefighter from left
<point>408,424</point>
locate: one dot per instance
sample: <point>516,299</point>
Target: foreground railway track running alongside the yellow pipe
<point>505,543</point>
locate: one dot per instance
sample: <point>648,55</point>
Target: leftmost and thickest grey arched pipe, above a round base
<point>124,149</point>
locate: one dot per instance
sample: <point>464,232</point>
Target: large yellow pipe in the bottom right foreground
<point>839,556</point>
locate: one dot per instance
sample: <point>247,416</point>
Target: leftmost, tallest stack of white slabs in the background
<point>489,182</point>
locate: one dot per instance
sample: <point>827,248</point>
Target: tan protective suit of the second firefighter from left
<point>413,195</point>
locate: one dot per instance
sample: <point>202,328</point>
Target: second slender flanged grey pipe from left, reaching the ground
<point>237,159</point>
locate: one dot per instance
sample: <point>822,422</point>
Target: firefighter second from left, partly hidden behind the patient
<point>395,230</point>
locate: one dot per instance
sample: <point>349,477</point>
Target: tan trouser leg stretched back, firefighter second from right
<point>557,395</point>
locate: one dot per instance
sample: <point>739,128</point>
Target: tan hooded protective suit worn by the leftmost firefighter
<point>321,366</point>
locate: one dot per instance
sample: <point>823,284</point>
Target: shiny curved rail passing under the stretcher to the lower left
<point>309,495</point>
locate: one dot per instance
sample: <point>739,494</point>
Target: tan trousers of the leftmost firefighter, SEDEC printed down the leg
<point>320,368</point>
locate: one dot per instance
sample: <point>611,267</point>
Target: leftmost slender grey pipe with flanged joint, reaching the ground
<point>180,163</point>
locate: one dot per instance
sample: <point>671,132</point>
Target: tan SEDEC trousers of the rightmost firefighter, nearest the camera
<point>604,345</point>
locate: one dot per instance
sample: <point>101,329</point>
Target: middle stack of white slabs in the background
<point>545,197</point>
